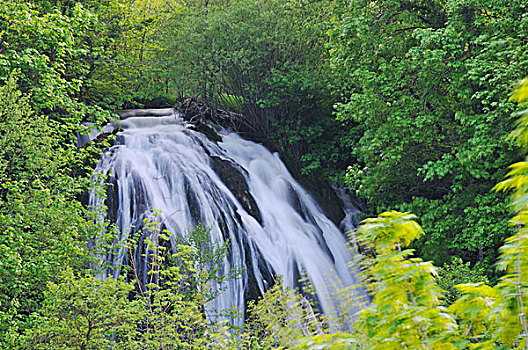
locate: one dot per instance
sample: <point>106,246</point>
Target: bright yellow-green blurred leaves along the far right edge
<point>507,303</point>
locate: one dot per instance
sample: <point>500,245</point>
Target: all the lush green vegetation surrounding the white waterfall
<point>406,102</point>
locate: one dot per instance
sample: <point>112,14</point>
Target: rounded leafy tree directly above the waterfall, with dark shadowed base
<point>266,60</point>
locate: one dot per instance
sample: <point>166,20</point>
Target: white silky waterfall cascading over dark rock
<point>272,224</point>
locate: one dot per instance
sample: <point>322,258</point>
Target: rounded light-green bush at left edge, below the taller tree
<point>43,227</point>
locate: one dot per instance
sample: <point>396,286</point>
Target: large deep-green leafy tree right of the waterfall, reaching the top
<point>428,83</point>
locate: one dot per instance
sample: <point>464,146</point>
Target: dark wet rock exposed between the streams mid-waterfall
<point>232,177</point>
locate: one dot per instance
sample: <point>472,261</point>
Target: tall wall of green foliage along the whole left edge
<point>44,227</point>
